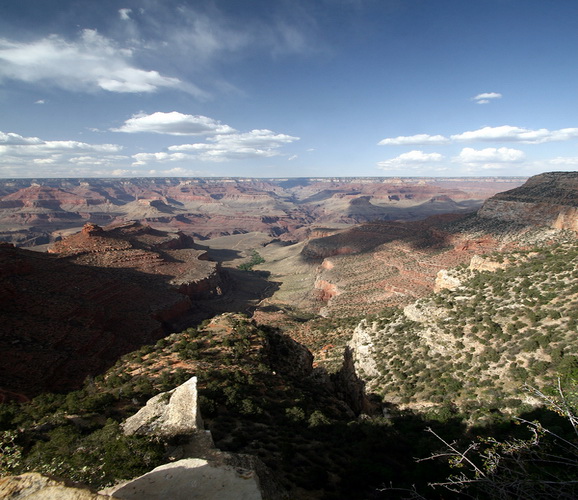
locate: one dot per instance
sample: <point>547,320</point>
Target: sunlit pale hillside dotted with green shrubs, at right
<point>477,343</point>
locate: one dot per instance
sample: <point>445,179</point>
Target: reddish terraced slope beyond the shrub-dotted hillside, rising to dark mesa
<point>361,269</point>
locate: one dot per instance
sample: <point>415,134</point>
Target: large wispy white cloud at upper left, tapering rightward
<point>89,63</point>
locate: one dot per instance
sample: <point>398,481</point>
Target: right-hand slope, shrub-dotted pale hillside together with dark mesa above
<point>505,320</point>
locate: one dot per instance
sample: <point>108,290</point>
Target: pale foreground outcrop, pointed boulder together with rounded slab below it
<point>200,470</point>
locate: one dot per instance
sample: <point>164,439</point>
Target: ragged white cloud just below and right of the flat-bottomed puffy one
<point>255,144</point>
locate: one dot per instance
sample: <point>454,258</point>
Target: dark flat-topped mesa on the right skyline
<point>549,199</point>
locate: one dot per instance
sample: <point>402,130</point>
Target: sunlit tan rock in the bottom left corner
<point>34,486</point>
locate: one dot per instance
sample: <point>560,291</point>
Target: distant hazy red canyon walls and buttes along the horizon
<point>41,211</point>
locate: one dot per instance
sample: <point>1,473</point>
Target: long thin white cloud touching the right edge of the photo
<point>517,134</point>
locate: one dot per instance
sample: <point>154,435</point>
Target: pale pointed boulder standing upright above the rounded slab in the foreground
<point>168,414</point>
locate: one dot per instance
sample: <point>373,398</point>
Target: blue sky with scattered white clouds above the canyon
<point>288,88</point>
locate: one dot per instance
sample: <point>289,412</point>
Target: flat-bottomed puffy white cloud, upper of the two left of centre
<point>174,123</point>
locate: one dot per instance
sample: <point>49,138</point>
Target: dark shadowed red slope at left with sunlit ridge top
<point>65,316</point>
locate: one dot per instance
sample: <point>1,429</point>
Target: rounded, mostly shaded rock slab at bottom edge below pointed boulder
<point>192,478</point>
